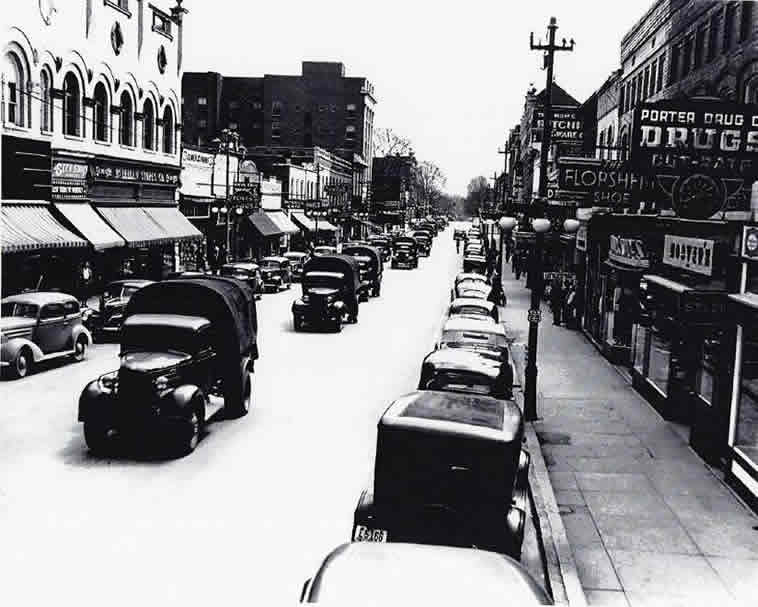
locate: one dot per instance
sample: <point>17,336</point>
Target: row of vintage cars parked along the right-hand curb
<point>444,517</point>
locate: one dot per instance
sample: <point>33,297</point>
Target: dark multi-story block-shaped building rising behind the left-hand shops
<point>322,107</point>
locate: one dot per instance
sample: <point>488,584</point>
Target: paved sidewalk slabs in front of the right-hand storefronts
<point>648,522</point>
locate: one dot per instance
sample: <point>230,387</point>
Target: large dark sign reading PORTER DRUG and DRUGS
<point>702,153</point>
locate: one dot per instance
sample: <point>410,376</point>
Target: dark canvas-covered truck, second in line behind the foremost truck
<point>331,285</point>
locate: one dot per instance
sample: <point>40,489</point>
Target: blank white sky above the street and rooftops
<point>450,76</point>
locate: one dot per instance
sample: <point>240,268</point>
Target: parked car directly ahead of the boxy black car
<point>466,371</point>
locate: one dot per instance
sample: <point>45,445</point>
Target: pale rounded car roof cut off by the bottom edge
<point>375,573</point>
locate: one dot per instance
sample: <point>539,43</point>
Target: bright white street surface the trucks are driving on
<point>249,515</point>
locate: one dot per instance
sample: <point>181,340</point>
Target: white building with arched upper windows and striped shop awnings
<point>90,135</point>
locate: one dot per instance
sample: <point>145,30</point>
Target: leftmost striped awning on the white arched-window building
<point>30,225</point>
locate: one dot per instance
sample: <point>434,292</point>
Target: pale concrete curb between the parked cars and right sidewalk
<point>560,567</point>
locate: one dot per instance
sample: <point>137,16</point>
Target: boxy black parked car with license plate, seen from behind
<point>449,470</point>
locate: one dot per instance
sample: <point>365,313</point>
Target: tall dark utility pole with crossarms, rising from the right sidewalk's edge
<point>535,269</point>
